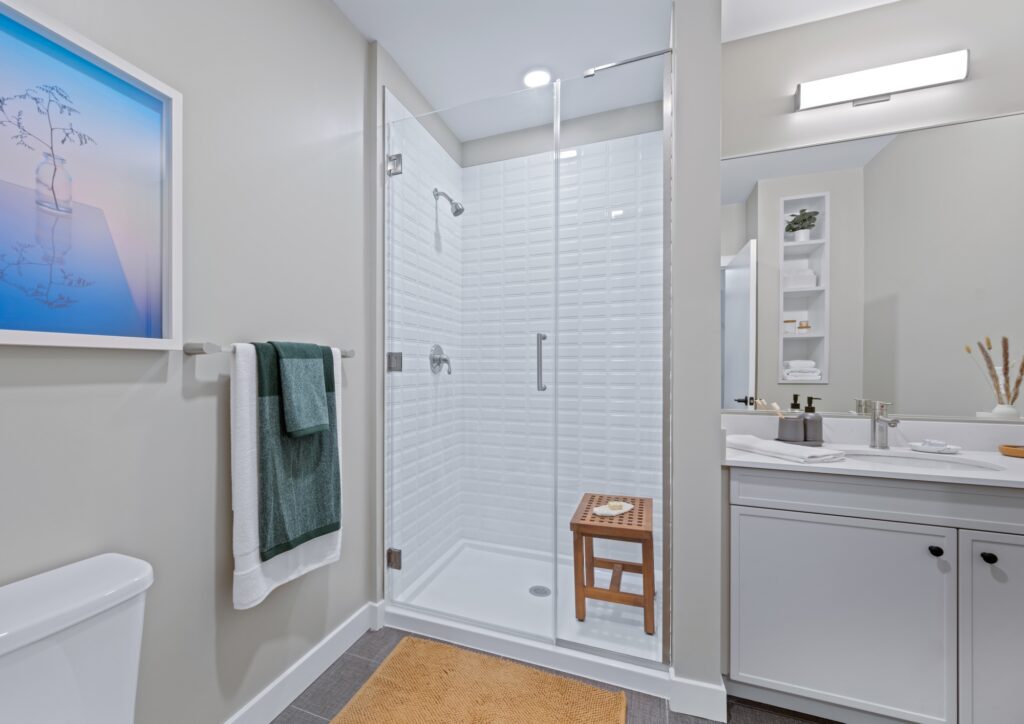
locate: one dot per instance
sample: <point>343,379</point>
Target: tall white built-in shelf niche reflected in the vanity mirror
<point>809,302</point>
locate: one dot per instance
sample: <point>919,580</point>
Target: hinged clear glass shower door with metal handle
<point>470,308</point>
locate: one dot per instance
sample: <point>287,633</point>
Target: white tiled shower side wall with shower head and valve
<point>424,437</point>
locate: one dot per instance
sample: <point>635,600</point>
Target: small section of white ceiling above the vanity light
<point>742,19</point>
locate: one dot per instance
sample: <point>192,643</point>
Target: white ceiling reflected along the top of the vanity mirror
<point>740,176</point>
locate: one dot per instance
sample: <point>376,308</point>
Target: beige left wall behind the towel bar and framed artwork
<point>127,451</point>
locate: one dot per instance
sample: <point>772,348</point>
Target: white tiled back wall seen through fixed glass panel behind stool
<point>611,297</point>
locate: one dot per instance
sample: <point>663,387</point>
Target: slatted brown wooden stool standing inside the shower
<point>634,527</point>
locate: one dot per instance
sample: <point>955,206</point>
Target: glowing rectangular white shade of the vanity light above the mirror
<point>879,83</point>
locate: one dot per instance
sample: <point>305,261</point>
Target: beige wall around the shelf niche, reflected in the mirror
<point>846,286</point>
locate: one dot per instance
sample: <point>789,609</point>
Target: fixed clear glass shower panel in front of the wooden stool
<point>610,403</point>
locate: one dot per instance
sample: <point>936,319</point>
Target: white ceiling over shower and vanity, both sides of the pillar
<point>460,52</point>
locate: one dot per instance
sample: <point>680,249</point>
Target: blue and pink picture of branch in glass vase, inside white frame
<point>81,194</point>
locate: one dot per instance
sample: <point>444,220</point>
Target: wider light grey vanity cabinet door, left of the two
<point>848,611</point>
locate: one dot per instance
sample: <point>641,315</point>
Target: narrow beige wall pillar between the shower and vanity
<point>698,564</point>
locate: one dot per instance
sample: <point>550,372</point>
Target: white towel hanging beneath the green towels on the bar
<point>255,579</point>
